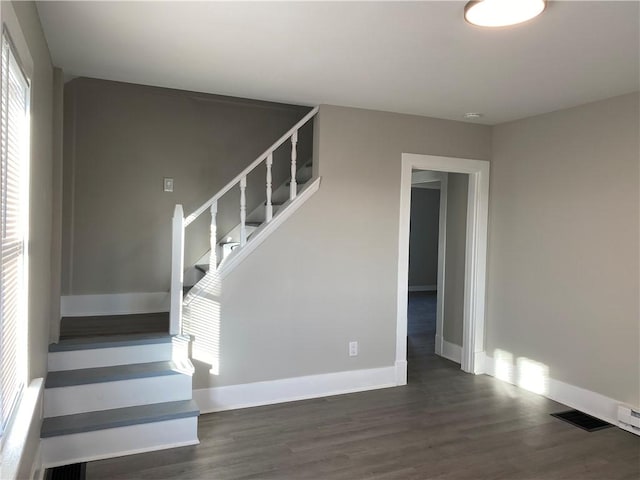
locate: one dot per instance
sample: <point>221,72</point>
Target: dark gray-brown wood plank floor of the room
<point>444,424</point>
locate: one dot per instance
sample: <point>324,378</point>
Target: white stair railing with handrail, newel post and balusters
<point>180,222</point>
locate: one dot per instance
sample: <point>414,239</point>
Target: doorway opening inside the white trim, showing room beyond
<point>437,237</point>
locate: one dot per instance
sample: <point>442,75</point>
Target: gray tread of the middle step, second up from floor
<point>68,378</point>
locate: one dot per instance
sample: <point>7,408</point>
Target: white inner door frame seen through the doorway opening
<point>442,178</point>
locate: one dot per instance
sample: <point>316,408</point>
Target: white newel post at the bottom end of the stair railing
<point>177,271</point>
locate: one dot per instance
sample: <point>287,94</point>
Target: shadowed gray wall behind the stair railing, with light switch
<point>120,141</point>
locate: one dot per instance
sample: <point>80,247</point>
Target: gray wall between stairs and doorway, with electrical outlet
<point>329,274</point>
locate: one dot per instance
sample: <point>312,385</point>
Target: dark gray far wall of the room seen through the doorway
<point>423,238</point>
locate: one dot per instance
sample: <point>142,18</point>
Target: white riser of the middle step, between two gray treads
<point>118,394</point>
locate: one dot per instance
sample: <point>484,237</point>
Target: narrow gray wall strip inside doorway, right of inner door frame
<point>457,188</point>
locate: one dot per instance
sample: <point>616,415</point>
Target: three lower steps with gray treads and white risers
<point>112,395</point>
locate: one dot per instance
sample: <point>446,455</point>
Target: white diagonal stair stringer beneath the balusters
<point>259,235</point>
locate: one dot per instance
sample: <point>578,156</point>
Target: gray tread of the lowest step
<point>118,417</point>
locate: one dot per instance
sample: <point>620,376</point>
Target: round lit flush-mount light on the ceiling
<point>501,13</point>
